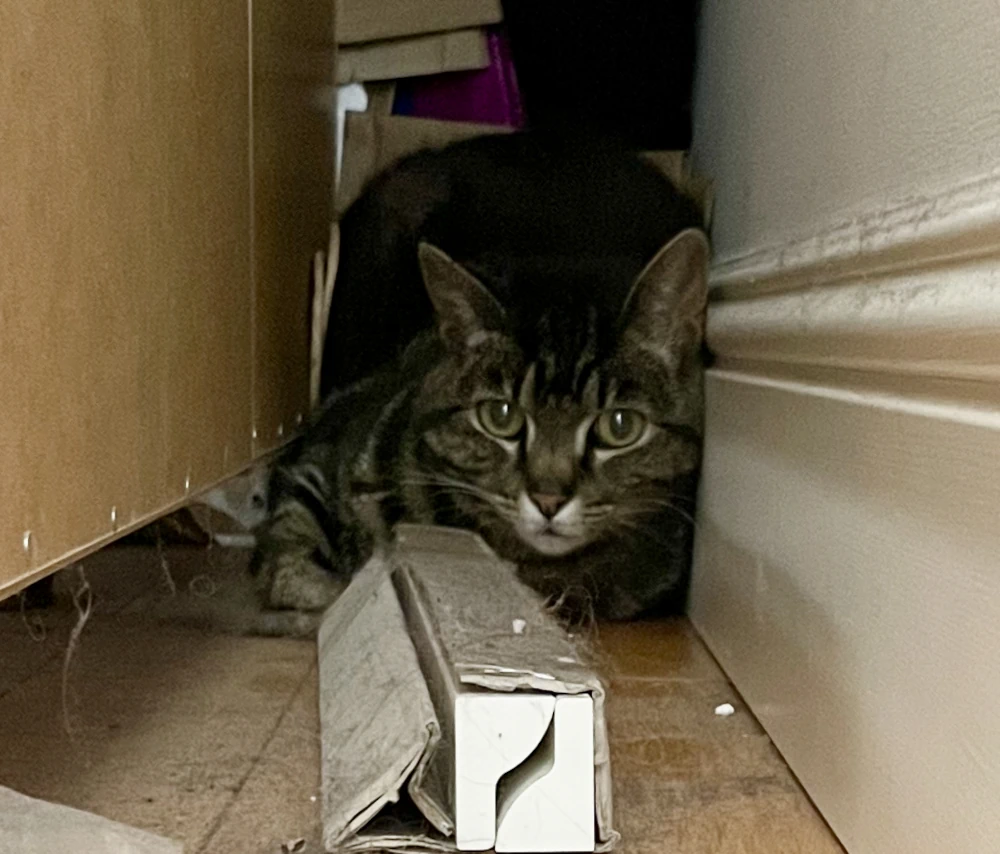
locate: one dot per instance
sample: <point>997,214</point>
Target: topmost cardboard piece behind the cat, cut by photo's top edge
<point>375,20</point>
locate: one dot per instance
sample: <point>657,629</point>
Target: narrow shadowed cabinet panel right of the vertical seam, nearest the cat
<point>293,155</point>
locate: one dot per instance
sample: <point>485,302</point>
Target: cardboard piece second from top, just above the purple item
<point>436,53</point>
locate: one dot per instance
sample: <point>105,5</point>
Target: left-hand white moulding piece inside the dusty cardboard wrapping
<point>494,733</point>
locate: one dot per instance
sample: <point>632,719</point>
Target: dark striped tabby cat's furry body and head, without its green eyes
<point>567,339</point>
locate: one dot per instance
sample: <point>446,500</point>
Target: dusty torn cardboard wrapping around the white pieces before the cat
<point>435,611</point>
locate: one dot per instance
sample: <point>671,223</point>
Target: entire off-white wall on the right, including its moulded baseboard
<point>846,568</point>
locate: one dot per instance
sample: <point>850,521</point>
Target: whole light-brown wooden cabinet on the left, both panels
<point>166,180</point>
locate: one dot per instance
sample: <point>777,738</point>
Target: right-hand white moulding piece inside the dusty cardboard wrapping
<point>547,805</point>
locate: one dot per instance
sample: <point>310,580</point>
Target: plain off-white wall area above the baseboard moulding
<point>809,114</point>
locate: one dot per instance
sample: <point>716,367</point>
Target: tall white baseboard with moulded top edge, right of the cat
<point>848,553</point>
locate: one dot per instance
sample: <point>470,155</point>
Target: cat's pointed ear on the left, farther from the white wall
<point>464,306</point>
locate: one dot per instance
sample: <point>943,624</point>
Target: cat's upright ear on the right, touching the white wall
<point>665,311</point>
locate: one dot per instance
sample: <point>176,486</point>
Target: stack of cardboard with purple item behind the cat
<point>409,68</point>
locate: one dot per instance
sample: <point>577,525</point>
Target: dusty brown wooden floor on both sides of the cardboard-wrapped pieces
<point>213,739</point>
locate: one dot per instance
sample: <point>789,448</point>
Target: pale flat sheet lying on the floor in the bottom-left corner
<point>30,826</point>
